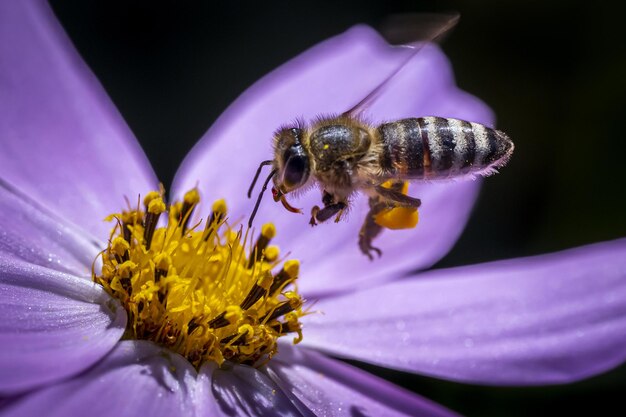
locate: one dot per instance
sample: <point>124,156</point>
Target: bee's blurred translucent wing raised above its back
<point>407,31</point>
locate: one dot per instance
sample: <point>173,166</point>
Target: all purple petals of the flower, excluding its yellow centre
<point>67,159</point>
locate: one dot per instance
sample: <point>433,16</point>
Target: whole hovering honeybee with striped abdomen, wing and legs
<point>344,155</point>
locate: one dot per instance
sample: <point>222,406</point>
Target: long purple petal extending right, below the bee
<point>547,319</point>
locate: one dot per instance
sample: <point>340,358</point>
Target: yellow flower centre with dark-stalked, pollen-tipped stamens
<point>207,291</point>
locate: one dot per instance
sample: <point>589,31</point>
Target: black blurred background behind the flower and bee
<point>553,71</point>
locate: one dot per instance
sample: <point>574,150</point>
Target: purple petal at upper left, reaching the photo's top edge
<point>63,142</point>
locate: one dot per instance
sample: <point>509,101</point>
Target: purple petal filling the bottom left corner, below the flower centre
<point>138,378</point>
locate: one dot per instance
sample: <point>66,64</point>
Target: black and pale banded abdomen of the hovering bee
<point>437,147</point>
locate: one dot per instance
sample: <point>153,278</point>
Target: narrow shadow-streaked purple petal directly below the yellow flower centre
<point>241,390</point>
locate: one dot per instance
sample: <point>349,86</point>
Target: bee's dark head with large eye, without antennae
<point>290,159</point>
